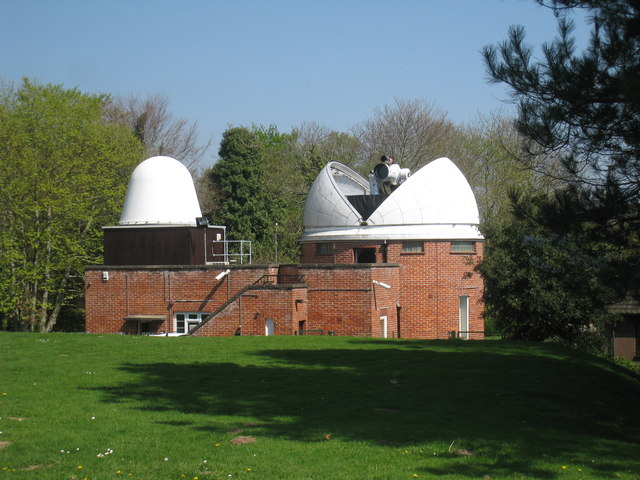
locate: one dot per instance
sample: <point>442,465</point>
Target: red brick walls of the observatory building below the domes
<point>341,297</point>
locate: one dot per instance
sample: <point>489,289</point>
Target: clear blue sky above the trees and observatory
<point>280,62</point>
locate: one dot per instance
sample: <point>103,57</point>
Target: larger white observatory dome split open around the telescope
<point>434,203</point>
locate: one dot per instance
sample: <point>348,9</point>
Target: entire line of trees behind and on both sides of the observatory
<point>557,187</point>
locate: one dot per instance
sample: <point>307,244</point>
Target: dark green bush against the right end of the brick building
<point>540,285</point>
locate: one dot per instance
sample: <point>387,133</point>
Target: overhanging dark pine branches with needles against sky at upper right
<point>584,107</point>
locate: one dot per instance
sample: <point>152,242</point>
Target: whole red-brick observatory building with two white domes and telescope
<point>391,256</point>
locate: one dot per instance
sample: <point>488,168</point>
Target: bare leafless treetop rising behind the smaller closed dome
<point>156,128</point>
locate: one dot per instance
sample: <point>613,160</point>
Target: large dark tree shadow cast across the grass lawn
<point>515,412</point>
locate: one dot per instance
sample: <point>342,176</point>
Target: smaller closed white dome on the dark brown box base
<point>160,192</point>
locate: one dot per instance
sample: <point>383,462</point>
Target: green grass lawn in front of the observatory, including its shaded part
<point>76,406</point>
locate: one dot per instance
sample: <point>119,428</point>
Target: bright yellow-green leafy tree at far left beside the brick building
<point>64,175</point>
